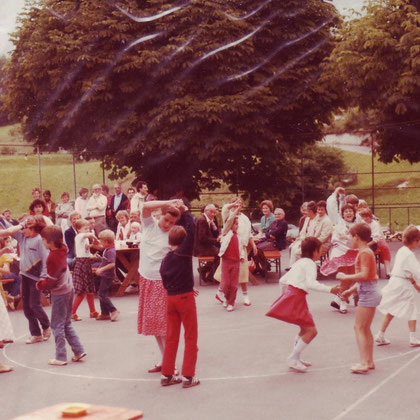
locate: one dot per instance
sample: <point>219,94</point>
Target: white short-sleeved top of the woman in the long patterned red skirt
<point>153,248</point>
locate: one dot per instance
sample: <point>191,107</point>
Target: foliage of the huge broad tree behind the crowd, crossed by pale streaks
<point>183,94</point>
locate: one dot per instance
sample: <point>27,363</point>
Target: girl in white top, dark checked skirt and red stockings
<point>82,273</point>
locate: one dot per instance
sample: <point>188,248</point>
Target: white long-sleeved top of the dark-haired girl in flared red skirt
<point>302,275</point>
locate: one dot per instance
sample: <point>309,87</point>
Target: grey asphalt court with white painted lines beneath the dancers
<point>241,365</point>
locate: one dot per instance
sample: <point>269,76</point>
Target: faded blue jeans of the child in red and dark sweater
<point>62,328</point>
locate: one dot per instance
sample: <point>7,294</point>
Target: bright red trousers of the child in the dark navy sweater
<point>181,310</point>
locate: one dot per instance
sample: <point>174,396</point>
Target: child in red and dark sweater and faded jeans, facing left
<point>59,282</point>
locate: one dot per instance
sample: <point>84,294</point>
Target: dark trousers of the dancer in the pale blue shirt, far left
<point>32,307</point>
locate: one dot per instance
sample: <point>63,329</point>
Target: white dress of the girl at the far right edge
<point>398,295</point>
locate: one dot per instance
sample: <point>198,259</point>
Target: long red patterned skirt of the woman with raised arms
<point>152,307</point>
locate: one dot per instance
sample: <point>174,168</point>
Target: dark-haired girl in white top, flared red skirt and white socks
<point>291,306</point>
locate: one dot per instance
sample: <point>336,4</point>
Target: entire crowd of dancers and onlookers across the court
<point>70,251</point>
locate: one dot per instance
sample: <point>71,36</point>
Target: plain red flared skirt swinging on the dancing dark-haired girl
<point>291,307</point>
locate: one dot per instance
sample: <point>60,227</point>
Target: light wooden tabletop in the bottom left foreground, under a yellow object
<point>94,412</point>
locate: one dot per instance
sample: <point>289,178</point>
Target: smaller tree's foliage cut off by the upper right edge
<point>376,67</point>
